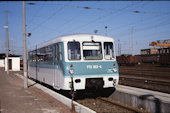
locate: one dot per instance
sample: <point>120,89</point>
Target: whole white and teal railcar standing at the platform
<point>89,59</point>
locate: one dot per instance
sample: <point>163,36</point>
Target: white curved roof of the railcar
<point>77,37</point>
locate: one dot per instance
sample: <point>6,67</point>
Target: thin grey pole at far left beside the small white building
<point>7,42</point>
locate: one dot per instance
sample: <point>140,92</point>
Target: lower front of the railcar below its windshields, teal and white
<point>93,75</point>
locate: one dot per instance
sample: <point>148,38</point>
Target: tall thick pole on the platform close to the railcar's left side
<point>24,49</point>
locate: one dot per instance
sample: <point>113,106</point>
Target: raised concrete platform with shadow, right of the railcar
<point>152,101</point>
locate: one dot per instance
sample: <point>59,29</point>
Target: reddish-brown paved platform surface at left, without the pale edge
<point>15,99</point>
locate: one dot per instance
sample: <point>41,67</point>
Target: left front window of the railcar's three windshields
<point>74,51</point>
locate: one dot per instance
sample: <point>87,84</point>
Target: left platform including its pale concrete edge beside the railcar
<point>35,99</point>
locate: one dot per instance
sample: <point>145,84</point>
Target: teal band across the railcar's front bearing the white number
<point>85,69</point>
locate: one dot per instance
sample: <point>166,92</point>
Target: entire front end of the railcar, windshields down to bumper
<point>90,63</point>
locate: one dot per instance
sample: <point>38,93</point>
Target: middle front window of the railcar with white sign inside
<point>92,51</point>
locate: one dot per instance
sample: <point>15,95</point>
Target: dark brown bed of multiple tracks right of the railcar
<point>147,76</point>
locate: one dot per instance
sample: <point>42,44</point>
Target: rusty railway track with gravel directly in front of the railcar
<point>106,105</point>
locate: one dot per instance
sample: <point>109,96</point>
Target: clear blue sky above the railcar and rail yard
<point>48,19</point>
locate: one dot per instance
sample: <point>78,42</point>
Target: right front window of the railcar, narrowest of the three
<point>109,50</point>
